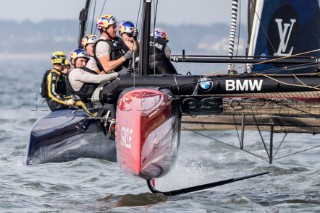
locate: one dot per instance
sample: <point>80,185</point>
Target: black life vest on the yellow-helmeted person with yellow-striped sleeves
<point>61,84</point>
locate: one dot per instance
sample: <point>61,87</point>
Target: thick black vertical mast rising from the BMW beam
<point>145,38</point>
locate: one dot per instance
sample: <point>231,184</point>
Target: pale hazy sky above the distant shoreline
<point>175,12</point>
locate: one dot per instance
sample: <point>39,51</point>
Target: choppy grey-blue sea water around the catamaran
<point>92,185</point>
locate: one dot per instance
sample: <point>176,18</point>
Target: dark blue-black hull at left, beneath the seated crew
<point>66,135</point>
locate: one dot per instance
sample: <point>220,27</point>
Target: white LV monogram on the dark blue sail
<point>284,37</point>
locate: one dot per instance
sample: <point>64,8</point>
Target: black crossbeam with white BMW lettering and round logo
<point>225,84</point>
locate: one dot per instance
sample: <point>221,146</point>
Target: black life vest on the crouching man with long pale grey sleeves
<point>86,89</point>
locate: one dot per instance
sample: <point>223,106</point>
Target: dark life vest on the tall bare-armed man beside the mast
<point>118,49</point>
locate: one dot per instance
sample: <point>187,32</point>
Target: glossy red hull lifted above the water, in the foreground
<point>147,132</point>
